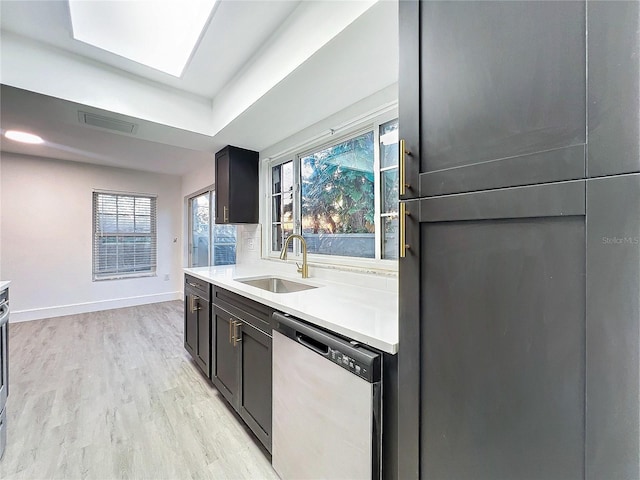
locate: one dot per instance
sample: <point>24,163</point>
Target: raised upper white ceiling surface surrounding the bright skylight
<point>236,31</point>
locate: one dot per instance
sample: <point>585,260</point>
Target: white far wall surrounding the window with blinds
<point>46,237</point>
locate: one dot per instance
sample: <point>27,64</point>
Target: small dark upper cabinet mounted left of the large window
<point>236,180</point>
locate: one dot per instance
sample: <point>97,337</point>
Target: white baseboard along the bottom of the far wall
<point>62,310</point>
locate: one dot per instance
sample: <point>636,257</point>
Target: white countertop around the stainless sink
<point>368,315</point>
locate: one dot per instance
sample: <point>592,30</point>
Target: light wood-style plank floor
<point>114,395</point>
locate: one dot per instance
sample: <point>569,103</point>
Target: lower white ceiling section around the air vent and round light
<point>155,147</point>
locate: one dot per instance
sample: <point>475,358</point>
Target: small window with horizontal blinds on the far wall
<point>124,235</point>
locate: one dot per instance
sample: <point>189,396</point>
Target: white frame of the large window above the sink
<point>369,123</point>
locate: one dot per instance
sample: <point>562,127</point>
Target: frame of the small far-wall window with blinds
<point>153,235</point>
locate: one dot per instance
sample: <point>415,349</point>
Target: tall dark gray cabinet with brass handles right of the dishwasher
<point>520,285</point>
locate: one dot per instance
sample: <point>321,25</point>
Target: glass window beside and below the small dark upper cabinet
<point>223,247</point>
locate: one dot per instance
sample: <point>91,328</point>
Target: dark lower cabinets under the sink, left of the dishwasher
<point>230,341</point>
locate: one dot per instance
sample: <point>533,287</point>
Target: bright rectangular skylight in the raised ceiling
<point>158,34</point>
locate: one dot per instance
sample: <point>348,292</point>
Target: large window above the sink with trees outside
<point>341,196</point>
